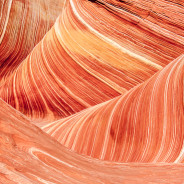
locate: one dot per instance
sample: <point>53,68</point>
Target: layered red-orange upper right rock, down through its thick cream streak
<point>152,30</point>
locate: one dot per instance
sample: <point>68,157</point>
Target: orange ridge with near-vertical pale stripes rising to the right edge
<point>144,125</point>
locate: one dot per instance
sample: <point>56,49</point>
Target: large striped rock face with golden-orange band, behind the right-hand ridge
<point>94,52</point>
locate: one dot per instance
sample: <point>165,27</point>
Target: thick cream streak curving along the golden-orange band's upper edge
<point>115,44</point>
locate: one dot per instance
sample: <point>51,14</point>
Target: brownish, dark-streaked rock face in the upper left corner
<point>22,25</point>
